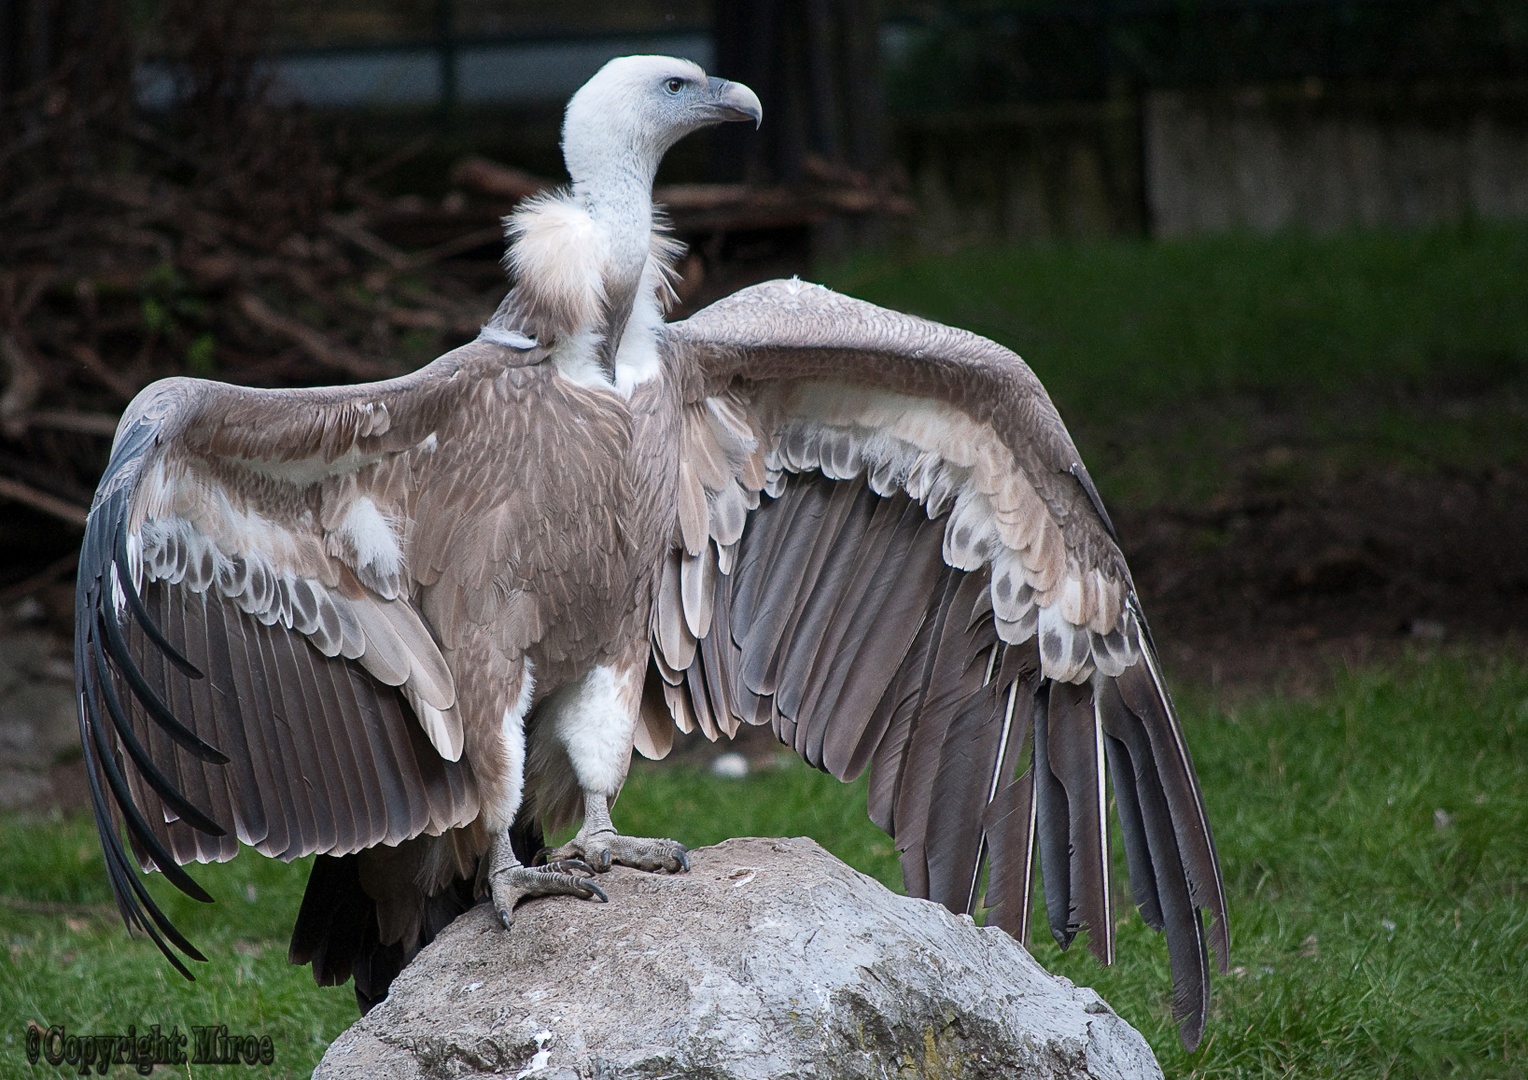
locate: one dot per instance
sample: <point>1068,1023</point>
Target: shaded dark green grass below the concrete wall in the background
<point>1174,360</point>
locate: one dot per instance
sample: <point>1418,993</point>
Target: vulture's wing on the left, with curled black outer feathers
<point>251,667</point>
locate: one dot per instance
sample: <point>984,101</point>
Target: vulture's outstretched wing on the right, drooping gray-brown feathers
<point>889,551</point>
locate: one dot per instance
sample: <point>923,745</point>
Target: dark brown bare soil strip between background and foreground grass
<point>1271,586</point>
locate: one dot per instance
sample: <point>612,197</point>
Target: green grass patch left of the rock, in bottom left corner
<point>77,965</point>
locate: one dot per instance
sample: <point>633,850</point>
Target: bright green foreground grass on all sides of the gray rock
<point>1367,940</point>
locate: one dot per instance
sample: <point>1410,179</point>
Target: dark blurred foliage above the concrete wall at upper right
<point>959,54</point>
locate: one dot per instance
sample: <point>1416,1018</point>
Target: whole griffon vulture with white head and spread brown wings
<point>409,626</point>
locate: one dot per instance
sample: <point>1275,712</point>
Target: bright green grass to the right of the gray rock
<point>1367,942</point>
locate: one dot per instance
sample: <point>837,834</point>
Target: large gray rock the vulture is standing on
<point>771,959</point>
